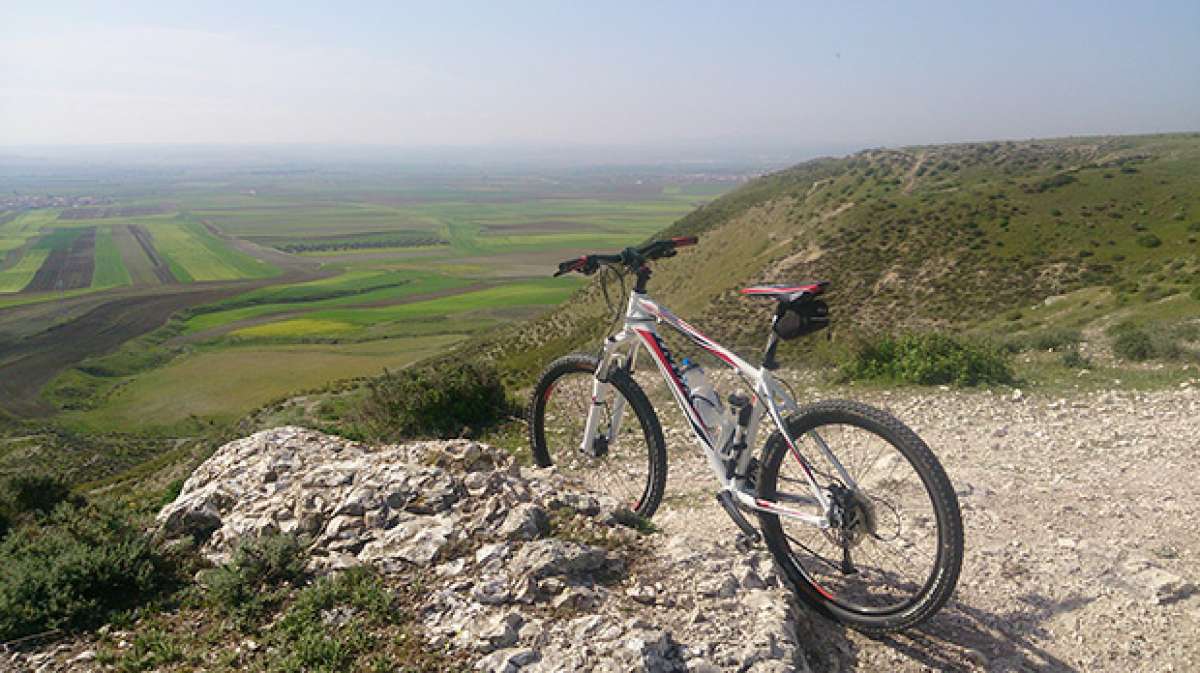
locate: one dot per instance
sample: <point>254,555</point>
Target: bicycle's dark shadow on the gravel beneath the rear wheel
<point>1007,641</point>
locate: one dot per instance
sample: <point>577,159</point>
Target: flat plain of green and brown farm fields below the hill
<point>203,298</point>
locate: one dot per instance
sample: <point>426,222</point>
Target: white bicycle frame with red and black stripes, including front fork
<point>772,400</point>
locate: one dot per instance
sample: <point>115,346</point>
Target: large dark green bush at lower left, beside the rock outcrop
<point>77,568</point>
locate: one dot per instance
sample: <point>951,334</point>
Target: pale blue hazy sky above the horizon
<point>787,74</point>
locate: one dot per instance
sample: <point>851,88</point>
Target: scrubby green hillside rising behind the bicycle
<point>969,238</point>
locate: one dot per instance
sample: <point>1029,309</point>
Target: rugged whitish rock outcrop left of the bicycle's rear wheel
<point>523,569</point>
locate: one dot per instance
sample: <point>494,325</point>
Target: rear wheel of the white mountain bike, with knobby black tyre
<point>893,555</point>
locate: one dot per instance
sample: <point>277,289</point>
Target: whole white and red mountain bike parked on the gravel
<point>856,510</point>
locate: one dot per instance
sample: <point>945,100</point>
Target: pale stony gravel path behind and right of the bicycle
<point>1083,551</point>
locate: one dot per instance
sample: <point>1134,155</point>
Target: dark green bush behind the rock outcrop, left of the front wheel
<point>446,401</point>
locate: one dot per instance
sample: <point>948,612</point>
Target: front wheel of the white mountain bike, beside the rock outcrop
<point>629,466</point>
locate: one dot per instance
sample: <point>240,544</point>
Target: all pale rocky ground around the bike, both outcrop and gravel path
<point>1082,546</point>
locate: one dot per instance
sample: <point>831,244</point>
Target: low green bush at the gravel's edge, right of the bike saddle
<point>928,359</point>
